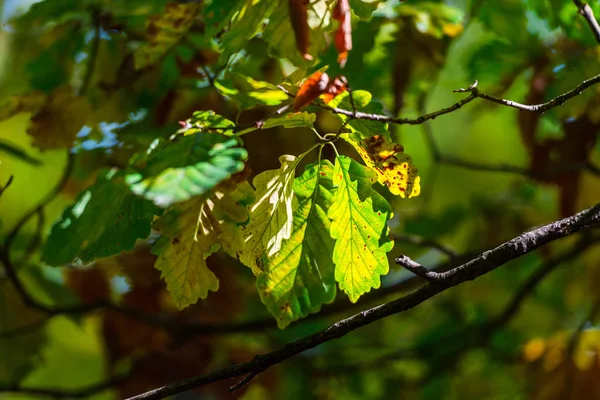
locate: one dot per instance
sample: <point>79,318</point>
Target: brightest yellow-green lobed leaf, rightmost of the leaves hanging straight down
<point>359,224</point>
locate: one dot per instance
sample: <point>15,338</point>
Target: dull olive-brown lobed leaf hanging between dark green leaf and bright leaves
<point>192,231</point>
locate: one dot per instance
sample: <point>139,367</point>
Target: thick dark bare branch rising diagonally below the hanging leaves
<point>481,265</point>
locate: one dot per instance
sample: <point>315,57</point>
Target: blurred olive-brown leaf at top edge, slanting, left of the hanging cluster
<point>163,32</point>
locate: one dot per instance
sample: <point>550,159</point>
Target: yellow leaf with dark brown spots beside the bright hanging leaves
<point>395,169</point>
